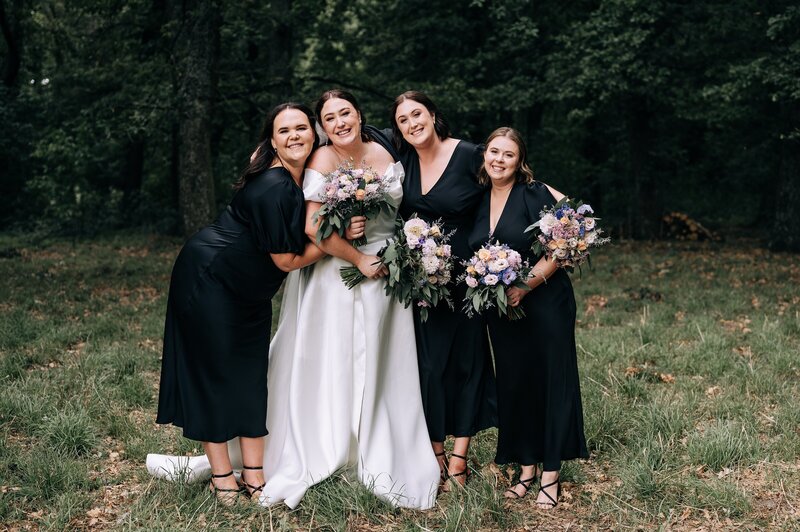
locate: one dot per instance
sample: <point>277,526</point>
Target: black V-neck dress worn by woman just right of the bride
<point>455,367</point>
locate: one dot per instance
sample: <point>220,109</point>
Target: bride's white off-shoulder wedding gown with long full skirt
<point>344,392</point>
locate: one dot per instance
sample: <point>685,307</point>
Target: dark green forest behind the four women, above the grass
<point>141,113</point>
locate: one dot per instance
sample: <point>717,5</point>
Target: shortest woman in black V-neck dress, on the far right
<point>539,400</point>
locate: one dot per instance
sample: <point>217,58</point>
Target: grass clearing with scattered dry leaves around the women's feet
<point>690,369</point>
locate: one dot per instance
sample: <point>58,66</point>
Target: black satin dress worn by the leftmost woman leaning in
<point>219,312</point>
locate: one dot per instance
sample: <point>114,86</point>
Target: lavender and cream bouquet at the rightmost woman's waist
<point>493,269</point>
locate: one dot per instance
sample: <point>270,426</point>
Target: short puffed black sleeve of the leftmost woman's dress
<point>277,218</point>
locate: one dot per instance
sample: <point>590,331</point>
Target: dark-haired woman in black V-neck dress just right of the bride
<point>455,365</point>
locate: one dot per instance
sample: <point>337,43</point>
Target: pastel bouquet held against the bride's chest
<point>349,191</point>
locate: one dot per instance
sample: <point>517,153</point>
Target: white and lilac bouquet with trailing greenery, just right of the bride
<point>420,265</point>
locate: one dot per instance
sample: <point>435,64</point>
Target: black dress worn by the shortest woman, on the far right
<point>538,393</point>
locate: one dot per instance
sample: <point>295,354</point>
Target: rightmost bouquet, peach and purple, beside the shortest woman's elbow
<point>566,232</point>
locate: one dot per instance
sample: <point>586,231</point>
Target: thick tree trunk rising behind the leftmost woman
<point>198,40</point>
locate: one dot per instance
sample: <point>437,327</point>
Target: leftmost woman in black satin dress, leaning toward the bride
<point>219,311</point>
